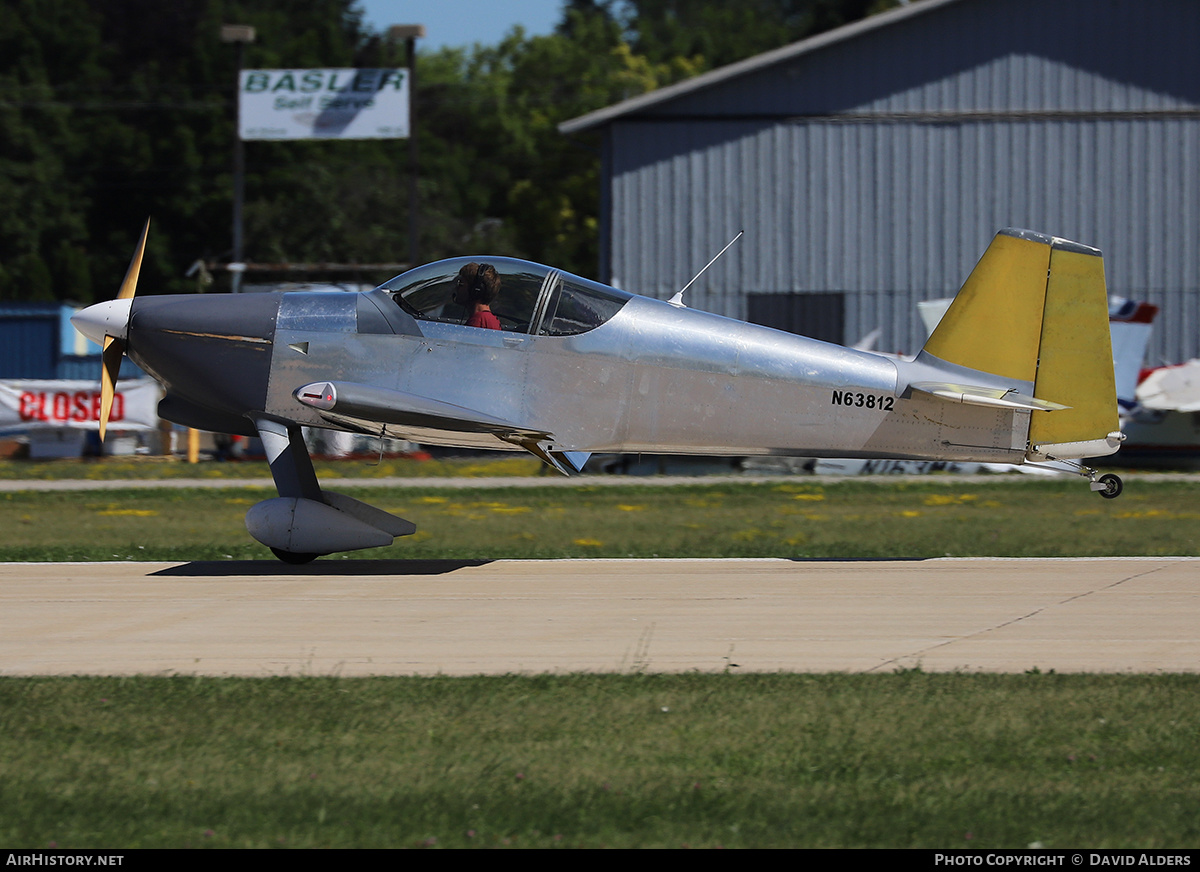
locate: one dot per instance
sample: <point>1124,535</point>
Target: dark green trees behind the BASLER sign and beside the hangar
<point>117,110</point>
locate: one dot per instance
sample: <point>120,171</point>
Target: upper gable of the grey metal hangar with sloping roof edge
<point>940,58</point>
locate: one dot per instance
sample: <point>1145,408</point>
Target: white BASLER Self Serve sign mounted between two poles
<point>323,104</point>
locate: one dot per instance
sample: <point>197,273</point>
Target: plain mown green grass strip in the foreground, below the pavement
<point>908,760</point>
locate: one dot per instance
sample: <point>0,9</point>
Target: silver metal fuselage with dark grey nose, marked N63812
<point>655,378</point>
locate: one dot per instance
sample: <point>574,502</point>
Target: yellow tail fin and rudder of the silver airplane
<point>1036,310</point>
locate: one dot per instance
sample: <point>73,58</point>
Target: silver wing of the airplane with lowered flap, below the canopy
<point>367,407</point>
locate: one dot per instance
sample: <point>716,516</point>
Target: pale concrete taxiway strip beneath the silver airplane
<point>409,617</point>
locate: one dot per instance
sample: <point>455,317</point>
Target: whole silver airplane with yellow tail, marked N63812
<point>1019,371</point>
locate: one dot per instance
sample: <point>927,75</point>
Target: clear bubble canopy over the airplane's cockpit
<point>533,299</point>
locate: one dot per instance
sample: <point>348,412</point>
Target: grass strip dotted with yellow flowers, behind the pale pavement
<point>788,519</point>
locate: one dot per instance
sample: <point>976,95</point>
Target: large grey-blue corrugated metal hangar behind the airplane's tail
<point>879,160</point>
